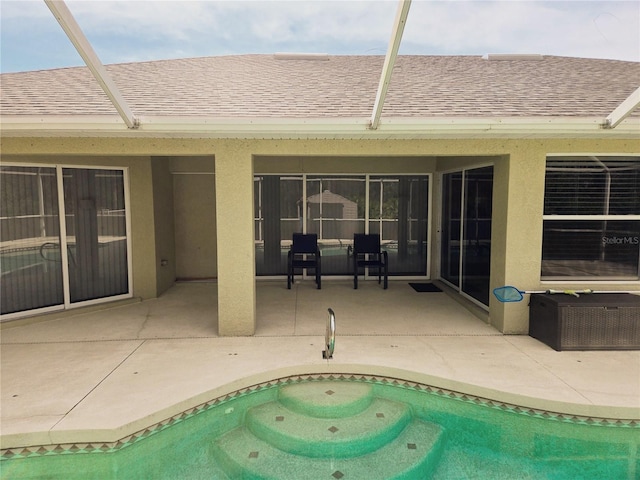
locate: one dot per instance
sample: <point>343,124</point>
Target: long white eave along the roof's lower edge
<point>318,128</point>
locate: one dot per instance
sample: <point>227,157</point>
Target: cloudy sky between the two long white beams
<point>210,28</point>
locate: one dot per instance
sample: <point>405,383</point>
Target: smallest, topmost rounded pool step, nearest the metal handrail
<point>327,399</point>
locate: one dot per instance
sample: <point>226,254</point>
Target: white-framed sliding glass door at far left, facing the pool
<point>48,258</point>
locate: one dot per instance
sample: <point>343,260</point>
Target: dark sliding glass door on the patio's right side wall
<point>465,237</point>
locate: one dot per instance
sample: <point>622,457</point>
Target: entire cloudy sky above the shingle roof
<point>125,31</point>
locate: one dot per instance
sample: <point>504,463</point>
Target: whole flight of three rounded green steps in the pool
<point>330,430</point>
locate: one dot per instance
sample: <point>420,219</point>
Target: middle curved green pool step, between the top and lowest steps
<point>342,437</point>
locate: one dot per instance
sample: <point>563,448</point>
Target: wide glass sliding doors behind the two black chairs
<point>337,207</point>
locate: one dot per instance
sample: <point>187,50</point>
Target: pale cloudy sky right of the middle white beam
<point>609,29</point>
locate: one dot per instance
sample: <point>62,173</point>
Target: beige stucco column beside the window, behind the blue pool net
<point>516,256</point>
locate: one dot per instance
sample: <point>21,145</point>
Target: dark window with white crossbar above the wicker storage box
<point>591,223</point>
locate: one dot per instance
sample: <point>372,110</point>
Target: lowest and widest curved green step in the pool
<point>414,453</point>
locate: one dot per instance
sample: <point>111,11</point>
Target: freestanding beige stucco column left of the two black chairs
<point>235,242</point>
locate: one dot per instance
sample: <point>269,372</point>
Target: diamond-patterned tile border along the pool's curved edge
<point>108,447</point>
